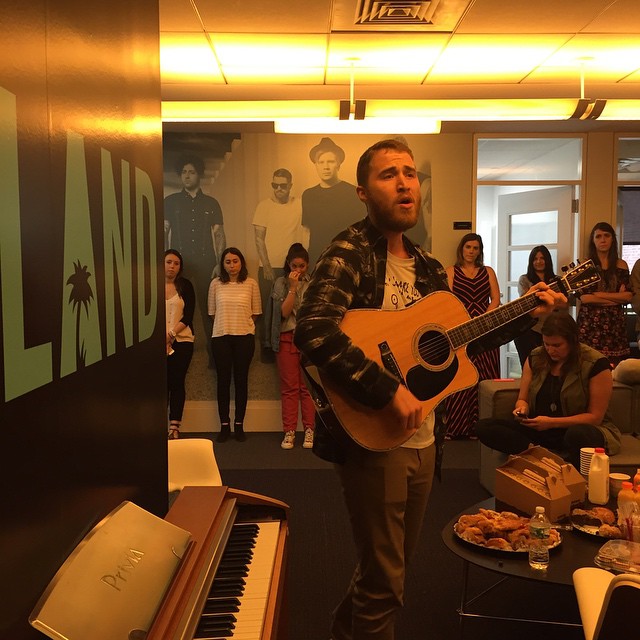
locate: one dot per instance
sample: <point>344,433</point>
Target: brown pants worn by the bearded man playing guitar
<point>386,495</point>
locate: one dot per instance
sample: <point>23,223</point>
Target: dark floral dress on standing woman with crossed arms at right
<point>604,328</point>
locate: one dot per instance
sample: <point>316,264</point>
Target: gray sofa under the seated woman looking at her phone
<point>497,398</point>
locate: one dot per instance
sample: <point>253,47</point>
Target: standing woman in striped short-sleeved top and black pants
<point>234,305</point>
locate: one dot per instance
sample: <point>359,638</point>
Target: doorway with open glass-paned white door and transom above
<point>527,192</point>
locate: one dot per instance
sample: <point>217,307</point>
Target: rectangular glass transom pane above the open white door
<point>529,159</point>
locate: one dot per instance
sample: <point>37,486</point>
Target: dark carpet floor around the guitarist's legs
<point>322,556</point>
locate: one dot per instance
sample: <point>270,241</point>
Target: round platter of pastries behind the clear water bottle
<point>502,531</point>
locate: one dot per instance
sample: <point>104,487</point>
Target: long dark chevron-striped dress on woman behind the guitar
<point>462,407</point>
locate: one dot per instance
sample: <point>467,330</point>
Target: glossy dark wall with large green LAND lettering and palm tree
<point>82,381</point>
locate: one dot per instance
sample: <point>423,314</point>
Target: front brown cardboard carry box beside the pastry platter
<point>525,485</point>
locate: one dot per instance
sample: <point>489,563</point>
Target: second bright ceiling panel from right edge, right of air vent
<point>506,58</point>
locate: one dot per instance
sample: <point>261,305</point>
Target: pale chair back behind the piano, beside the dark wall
<point>192,462</point>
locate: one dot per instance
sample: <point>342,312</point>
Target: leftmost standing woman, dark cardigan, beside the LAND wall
<point>180,302</point>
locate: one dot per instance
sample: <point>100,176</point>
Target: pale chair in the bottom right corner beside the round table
<point>608,603</point>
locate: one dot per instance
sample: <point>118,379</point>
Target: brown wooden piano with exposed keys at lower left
<point>214,568</point>
